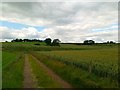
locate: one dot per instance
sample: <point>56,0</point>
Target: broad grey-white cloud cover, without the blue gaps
<point>64,20</point>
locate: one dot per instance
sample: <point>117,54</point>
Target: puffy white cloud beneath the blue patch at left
<point>29,32</point>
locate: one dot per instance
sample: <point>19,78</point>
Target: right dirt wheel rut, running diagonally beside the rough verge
<point>52,74</point>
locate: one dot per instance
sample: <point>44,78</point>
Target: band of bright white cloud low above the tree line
<point>62,33</point>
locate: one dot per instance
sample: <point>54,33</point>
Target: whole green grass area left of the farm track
<point>12,70</point>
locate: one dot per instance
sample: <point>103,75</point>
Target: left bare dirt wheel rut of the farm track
<point>29,81</point>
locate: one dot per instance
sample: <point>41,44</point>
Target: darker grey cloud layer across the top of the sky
<point>58,13</point>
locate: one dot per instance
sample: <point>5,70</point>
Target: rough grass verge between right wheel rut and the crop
<point>77,77</point>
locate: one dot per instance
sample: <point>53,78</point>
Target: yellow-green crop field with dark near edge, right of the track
<point>101,61</point>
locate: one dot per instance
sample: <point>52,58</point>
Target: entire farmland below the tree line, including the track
<point>67,66</point>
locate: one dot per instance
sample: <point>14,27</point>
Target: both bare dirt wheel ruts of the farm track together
<point>30,80</point>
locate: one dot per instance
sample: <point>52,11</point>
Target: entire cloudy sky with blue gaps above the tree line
<point>71,22</point>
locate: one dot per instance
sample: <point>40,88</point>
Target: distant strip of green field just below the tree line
<point>29,46</point>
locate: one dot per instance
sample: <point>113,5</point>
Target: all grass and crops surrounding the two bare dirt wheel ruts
<point>54,57</point>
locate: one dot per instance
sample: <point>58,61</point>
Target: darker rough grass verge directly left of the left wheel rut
<point>12,75</point>
